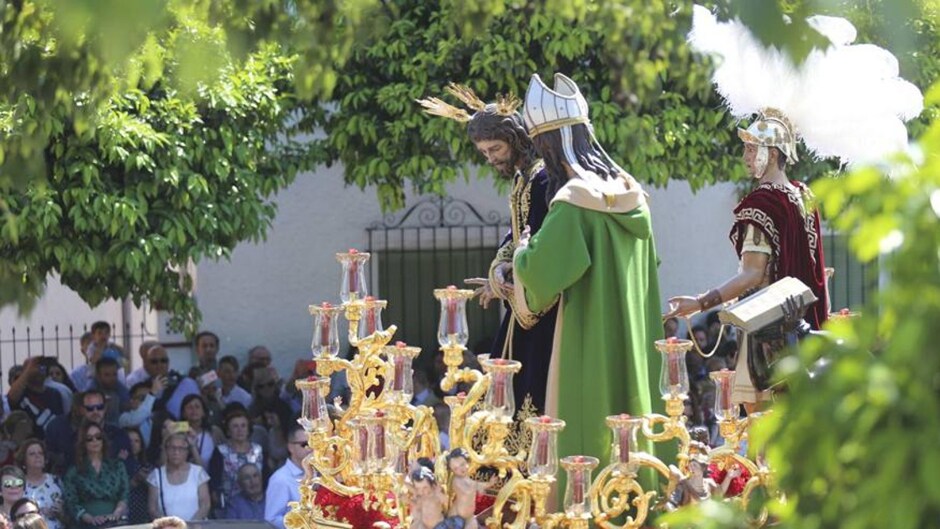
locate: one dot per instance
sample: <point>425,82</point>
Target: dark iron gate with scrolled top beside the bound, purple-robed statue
<point>439,241</point>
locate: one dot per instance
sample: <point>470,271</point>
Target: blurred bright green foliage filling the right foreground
<point>854,445</point>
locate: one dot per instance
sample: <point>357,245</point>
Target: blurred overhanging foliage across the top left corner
<point>51,50</point>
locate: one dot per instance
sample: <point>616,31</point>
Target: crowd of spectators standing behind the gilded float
<point>97,447</point>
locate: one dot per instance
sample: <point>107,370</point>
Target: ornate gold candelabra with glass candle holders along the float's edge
<point>367,448</point>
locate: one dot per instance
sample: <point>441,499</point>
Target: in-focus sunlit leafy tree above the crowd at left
<point>158,179</point>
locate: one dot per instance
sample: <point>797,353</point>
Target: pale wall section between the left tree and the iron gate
<point>261,296</point>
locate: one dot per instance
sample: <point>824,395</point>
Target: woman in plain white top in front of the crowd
<point>179,488</point>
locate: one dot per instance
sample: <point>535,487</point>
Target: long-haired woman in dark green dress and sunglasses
<point>96,486</point>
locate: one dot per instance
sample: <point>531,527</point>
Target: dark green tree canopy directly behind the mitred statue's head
<point>651,102</point>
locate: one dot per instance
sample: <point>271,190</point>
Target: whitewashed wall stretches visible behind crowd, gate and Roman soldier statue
<point>261,295</point>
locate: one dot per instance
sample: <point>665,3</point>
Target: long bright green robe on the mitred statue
<point>604,266</point>
